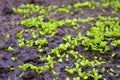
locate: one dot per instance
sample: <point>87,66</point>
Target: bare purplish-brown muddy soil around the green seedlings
<point>7,15</point>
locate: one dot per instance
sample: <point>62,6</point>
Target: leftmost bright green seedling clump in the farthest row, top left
<point>28,9</point>
